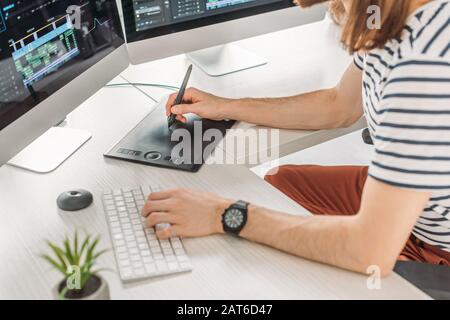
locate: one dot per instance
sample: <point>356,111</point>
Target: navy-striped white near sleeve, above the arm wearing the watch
<point>412,139</point>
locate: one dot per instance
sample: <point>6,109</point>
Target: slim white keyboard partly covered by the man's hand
<point>139,253</point>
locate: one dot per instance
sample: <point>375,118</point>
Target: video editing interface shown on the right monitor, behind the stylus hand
<point>150,14</point>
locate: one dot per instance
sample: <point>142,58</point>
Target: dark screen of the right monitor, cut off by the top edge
<point>151,18</point>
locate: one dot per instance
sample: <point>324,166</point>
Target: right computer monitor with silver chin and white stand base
<point>161,28</point>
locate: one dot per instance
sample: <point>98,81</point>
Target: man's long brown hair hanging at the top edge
<point>356,36</point>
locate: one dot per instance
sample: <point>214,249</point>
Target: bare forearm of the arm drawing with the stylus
<point>310,111</point>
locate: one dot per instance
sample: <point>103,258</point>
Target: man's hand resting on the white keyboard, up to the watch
<point>190,213</point>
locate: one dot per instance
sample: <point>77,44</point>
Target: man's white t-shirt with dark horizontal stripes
<point>406,94</point>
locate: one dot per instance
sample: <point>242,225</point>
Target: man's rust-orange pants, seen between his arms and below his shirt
<point>337,191</point>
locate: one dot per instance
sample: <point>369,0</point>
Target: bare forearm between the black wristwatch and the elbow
<point>331,240</point>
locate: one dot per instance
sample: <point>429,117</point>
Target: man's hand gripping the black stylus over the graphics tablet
<point>202,104</point>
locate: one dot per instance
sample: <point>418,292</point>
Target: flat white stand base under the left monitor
<point>50,150</point>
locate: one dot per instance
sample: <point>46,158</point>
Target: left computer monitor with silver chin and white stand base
<point>54,54</point>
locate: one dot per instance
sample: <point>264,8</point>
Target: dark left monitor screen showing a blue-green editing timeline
<point>44,44</point>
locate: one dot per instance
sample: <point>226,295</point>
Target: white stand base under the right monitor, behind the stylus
<point>225,59</point>
